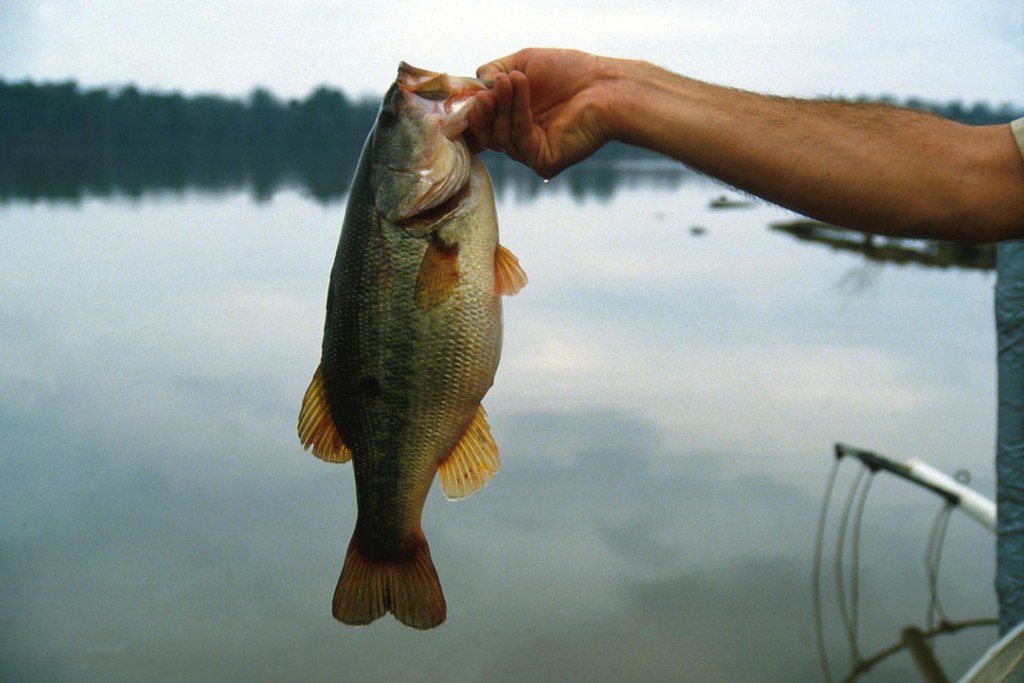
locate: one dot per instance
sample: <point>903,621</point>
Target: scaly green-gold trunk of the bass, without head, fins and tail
<point>403,379</point>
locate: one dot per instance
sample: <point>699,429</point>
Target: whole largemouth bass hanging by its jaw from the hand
<point>411,343</point>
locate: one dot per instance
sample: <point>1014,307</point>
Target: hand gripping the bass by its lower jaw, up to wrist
<point>548,109</point>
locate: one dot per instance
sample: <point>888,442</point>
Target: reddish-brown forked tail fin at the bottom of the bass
<point>408,588</point>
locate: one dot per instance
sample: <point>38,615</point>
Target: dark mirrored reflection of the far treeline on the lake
<point>324,174</point>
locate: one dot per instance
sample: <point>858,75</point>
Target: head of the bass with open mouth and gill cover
<point>419,156</point>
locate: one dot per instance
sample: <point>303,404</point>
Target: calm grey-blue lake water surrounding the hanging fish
<point>666,411</point>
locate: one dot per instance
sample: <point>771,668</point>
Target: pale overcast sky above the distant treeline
<point>938,50</point>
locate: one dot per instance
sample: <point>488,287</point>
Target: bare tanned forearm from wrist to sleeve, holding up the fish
<point>865,166</point>
